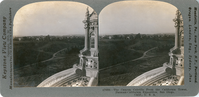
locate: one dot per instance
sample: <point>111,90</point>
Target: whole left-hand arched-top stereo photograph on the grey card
<point>55,45</point>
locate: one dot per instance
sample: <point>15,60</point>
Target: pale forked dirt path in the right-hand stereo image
<point>143,56</point>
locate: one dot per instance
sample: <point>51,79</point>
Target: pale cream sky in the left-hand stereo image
<point>53,18</point>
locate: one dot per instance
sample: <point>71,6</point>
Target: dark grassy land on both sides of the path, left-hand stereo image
<point>33,71</point>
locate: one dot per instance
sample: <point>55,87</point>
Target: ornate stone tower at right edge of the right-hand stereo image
<point>177,52</point>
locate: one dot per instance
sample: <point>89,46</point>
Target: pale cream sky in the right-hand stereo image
<point>145,17</point>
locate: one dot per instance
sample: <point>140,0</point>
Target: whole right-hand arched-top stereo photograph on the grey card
<point>141,43</point>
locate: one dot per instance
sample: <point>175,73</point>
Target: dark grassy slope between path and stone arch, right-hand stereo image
<point>122,75</point>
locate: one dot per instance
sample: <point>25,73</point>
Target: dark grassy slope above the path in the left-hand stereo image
<point>29,52</point>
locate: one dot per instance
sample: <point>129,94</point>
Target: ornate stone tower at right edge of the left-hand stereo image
<point>89,55</point>
